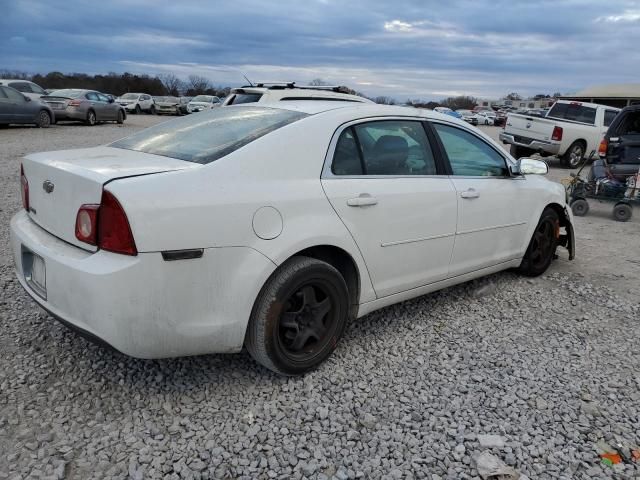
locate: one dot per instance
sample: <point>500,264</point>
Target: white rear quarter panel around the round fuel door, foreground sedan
<point>214,206</point>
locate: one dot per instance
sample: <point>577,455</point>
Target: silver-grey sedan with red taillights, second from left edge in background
<point>88,106</point>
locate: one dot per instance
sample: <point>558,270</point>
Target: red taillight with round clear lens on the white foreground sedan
<point>106,226</point>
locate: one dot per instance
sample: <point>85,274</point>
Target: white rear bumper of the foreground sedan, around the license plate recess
<point>144,306</point>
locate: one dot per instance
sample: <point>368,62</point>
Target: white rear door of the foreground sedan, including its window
<point>384,182</point>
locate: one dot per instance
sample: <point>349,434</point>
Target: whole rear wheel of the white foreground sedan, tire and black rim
<point>298,317</point>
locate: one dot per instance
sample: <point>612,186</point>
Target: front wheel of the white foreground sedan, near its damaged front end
<point>542,248</point>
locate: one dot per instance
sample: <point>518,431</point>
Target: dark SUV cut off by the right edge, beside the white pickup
<point>621,144</point>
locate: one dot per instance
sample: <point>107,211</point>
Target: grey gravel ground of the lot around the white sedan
<point>548,365</point>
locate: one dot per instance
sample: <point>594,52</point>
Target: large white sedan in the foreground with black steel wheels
<point>273,225</point>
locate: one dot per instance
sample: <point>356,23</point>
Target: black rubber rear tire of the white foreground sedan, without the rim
<point>263,331</point>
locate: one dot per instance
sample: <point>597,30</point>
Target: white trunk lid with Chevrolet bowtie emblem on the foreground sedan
<point>60,182</point>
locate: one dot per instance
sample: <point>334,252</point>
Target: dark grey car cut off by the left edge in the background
<point>16,107</point>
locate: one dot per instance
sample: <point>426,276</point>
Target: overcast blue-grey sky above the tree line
<point>401,48</point>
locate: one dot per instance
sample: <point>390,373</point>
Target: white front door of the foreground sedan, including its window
<point>491,226</point>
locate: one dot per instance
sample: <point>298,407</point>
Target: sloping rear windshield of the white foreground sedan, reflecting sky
<point>209,136</point>
